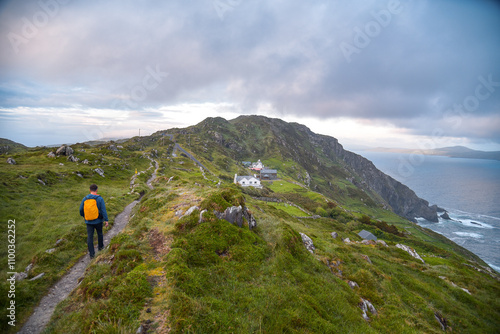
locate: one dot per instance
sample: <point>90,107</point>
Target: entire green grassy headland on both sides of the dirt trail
<point>181,274</point>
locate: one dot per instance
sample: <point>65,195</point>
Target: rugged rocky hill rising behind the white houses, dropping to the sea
<point>319,158</point>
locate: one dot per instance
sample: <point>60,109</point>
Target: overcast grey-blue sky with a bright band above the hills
<point>378,73</point>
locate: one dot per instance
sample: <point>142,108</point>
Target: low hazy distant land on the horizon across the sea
<point>453,152</point>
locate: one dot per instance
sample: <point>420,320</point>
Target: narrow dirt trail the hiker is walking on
<point>61,290</point>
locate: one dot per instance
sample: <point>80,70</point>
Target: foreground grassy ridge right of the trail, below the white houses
<point>186,276</point>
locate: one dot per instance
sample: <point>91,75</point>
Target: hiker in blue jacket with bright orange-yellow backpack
<point>93,210</point>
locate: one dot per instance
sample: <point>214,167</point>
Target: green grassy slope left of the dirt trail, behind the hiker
<point>47,213</point>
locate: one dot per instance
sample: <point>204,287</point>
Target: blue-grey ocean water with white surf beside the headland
<point>469,189</point>
